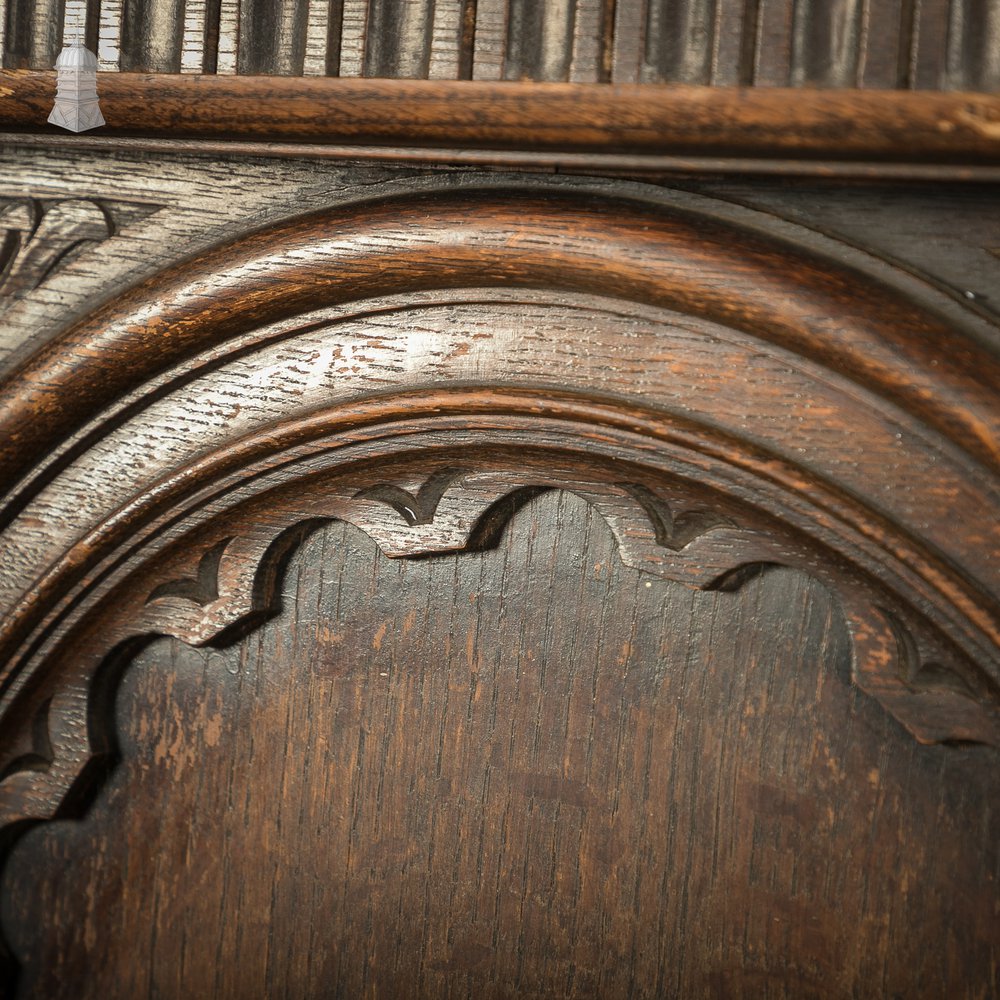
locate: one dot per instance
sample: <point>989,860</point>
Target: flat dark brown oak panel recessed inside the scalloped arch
<point>526,772</point>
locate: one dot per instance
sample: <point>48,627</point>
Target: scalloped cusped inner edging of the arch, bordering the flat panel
<point>234,586</point>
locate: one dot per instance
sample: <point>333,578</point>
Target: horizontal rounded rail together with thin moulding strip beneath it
<point>618,127</point>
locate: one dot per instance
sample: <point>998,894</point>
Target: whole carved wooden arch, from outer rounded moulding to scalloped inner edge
<point>167,453</point>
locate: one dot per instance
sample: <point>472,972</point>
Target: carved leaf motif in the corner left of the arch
<point>37,236</point>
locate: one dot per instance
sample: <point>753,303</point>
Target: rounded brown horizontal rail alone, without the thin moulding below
<point>832,125</point>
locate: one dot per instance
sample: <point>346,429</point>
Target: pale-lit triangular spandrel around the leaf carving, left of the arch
<point>160,210</point>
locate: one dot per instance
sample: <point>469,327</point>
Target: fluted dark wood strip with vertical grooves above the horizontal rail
<point>930,44</point>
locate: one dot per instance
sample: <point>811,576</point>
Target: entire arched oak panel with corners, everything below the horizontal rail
<point>638,539</point>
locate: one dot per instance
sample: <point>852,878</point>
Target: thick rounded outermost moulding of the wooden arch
<point>950,382</point>
